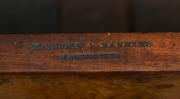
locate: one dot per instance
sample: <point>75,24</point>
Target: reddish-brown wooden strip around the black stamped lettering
<point>16,54</point>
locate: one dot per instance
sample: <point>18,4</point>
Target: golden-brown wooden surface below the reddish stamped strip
<point>127,85</point>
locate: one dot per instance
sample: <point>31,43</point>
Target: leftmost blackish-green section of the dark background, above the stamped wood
<point>27,16</point>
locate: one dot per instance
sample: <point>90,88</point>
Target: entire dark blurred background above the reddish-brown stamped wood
<point>39,16</point>
